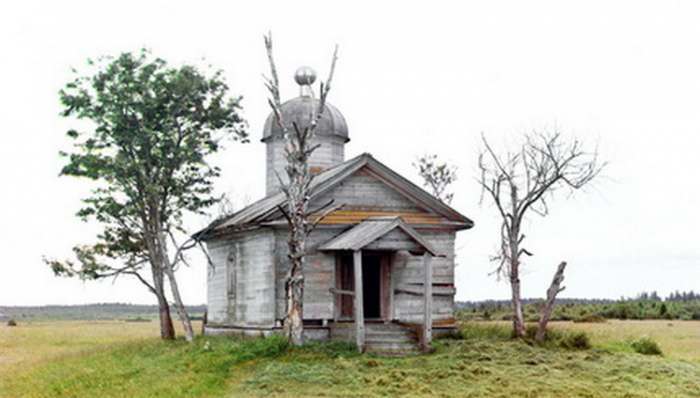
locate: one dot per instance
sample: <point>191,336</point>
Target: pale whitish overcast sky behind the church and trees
<point>411,78</point>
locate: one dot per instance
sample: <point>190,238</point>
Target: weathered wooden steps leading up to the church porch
<point>380,338</point>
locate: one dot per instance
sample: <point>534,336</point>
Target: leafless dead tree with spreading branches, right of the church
<point>522,182</point>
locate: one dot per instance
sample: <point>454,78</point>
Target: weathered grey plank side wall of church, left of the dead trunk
<point>241,285</point>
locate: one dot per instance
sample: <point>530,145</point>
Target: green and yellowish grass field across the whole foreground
<point>120,359</point>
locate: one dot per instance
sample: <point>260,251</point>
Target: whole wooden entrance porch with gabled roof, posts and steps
<point>364,291</point>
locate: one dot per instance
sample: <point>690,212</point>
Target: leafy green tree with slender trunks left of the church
<point>150,128</point>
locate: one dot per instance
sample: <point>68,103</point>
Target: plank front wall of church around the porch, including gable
<point>364,196</point>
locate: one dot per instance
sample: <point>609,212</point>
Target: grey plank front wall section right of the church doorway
<point>408,271</point>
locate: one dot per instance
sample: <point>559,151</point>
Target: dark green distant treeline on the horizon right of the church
<point>678,305</point>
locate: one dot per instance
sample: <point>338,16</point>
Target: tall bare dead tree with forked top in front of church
<point>298,150</point>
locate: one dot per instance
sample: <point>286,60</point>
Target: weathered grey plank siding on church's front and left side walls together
<point>260,265</point>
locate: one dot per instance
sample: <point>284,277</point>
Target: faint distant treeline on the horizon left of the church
<point>99,311</point>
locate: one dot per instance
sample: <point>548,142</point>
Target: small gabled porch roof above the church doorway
<point>372,229</point>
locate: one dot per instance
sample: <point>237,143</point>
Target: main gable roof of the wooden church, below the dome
<point>259,211</point>
